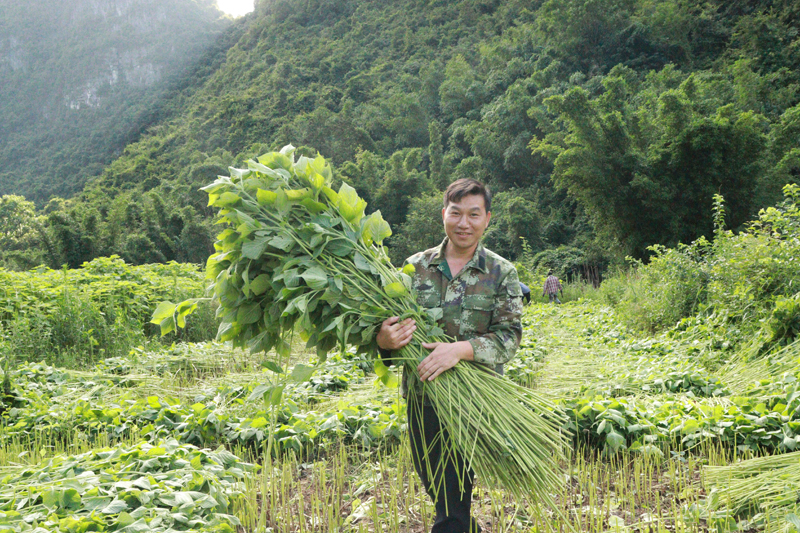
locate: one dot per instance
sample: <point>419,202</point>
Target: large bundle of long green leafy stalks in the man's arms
<point>297,255</point>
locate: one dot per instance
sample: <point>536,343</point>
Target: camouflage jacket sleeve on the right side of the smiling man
<point>500,343</point>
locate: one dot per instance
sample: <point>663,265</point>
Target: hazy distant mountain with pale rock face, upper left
<point>80,79</point>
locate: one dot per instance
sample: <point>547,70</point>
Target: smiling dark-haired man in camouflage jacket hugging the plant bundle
<point>479,294</point>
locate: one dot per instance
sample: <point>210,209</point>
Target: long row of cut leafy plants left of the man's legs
<point>52,405</point>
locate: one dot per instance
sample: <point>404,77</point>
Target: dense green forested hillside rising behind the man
<point>603,127</point>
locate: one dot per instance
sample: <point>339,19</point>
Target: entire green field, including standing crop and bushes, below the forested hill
<point>677,382</point>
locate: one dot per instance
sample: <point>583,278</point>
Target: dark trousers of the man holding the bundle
<point>450,487</point>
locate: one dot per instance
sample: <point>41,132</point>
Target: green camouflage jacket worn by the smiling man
<point>482,304</point>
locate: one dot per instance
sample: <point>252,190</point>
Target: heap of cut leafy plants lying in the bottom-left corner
<point>145,487</point>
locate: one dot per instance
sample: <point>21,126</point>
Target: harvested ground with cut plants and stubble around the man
<point>177,438</point>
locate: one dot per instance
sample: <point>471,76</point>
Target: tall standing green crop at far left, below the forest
<point>76,317</point>
